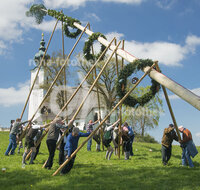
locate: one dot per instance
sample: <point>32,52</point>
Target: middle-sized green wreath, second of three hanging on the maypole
<point>88,45</point>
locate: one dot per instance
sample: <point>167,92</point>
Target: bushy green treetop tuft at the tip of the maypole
<point>37,12</point>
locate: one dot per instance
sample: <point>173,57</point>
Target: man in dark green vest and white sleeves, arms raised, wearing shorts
<point>107,139</point>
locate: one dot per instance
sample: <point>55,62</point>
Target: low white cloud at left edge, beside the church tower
<point>13,96</point>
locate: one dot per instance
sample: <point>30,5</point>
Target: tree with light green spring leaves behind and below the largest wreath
<point>146,117</point>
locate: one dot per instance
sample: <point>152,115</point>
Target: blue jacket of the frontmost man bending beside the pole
<point>72,142</point>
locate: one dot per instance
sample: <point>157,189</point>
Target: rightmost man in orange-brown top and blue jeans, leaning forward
<point>188,147</point>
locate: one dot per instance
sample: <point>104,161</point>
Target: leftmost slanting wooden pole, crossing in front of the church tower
<point>39,67</point>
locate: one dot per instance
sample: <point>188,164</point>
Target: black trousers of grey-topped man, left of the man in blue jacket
<point>51,145</point>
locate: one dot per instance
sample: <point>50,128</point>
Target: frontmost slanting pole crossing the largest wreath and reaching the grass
<point>118,104</point>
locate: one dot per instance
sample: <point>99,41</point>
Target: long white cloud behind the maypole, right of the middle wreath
<point>170,54</point>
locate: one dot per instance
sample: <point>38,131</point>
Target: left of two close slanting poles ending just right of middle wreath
<point>72,96</point>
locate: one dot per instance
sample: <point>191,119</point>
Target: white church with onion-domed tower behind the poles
<point>50,108</point>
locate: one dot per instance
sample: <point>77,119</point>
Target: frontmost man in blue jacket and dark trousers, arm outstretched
<point>70,146</point>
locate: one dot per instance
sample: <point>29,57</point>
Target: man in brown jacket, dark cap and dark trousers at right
<point>169,135</point>
